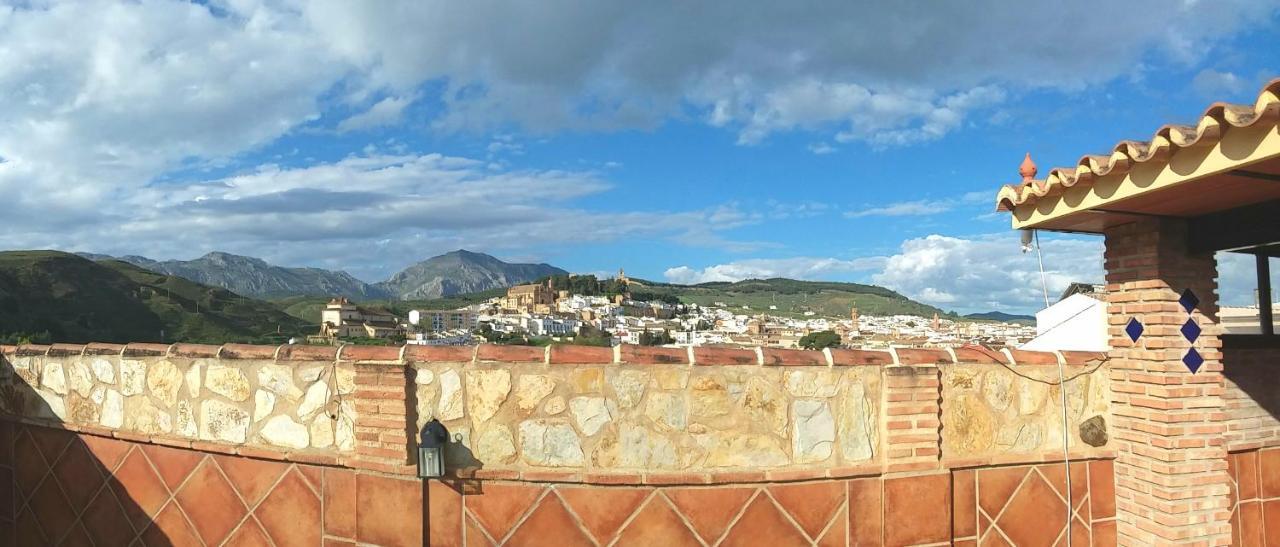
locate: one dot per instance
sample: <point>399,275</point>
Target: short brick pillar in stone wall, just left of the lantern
<point>386,414</point>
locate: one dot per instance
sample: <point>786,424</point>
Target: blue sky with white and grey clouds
<point>683,142</point>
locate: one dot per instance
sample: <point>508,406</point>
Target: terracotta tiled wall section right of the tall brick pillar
<point>1255,498</point>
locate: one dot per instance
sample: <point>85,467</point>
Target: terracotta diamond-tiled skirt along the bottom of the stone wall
<point>75,490</point>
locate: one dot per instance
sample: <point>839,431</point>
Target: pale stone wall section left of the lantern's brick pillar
<point>234,395</point>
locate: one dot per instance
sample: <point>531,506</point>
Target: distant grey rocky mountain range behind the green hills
<point>454,273</point>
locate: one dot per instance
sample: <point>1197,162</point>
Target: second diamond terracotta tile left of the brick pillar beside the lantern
<point>212,505</point>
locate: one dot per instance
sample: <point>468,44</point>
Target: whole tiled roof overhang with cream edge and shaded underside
<point>1229,161</point>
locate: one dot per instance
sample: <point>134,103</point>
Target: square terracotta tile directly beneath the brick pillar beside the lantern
<point>381,505</point>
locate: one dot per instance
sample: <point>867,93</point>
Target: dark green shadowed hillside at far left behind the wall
<point>49,297</point>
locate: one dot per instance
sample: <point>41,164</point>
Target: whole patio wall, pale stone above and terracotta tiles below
<point>717,446</point>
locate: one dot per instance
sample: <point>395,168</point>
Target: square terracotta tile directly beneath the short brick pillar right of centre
<point>918,509</point>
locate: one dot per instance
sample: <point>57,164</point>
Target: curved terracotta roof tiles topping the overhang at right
<point>1126,156</point>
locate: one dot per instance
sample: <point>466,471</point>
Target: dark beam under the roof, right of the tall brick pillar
<point>1238,229</point>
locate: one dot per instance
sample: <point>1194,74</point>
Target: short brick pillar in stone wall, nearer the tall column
<point>912,409</point>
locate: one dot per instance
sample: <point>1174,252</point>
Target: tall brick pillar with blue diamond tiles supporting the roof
<point>1172,481</point>
